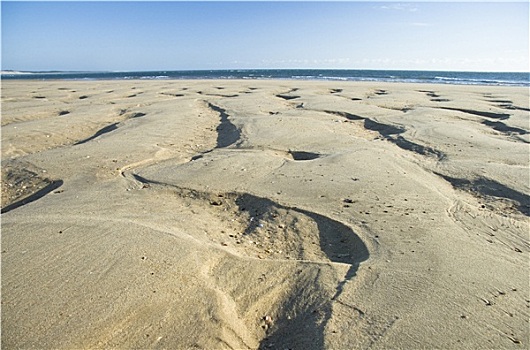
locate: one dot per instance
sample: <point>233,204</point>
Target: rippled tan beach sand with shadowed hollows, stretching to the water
<point>264,214</point>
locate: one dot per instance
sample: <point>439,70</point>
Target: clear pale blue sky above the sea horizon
<point>195,35</point>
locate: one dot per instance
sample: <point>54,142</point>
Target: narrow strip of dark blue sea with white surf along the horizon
<point>402,76</point>
